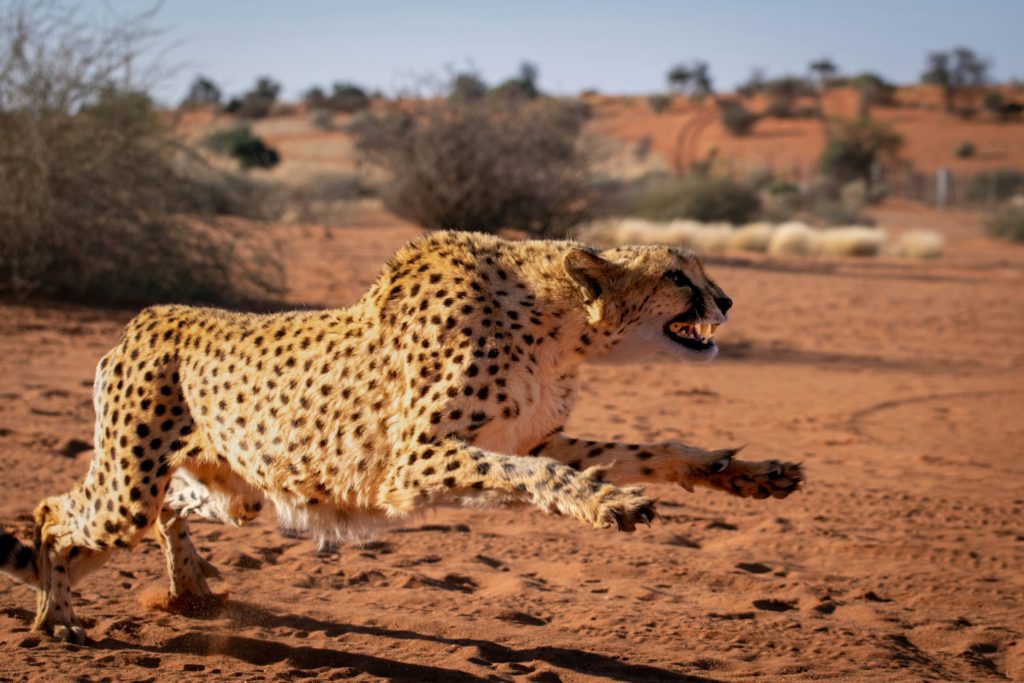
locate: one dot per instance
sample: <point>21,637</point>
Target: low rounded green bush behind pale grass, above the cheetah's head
<point>697,197</point>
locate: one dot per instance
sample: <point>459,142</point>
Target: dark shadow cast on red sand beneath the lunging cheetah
<point>265,653</point>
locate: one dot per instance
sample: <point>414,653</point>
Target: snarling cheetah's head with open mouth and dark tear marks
<point>651,298</point>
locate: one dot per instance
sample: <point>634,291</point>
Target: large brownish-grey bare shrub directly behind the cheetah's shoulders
<point>482,164</point>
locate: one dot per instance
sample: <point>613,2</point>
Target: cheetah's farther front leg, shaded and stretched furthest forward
<point>678,463</point>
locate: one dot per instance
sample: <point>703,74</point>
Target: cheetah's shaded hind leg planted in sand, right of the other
<point>189,593</point>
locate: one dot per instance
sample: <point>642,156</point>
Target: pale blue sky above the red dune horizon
<point>617,48</point>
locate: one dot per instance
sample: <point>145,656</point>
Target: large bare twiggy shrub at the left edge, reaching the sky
<point>92,199</point>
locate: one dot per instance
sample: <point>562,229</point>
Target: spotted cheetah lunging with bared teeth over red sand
<point>448,382</point>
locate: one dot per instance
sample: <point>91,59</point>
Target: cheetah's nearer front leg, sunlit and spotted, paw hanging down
<point>456,471</point>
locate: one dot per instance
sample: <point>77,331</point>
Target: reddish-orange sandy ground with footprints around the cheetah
<point>901,386</point>
